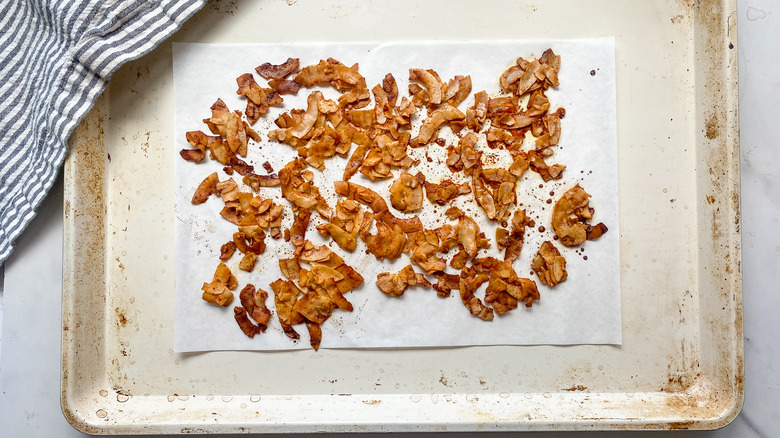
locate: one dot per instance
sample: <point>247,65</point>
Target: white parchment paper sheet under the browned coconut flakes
<point>584,309</point>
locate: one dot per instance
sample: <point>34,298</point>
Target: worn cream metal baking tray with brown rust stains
<point>680,365</point>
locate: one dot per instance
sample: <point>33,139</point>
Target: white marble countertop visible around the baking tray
<point>30,298</point>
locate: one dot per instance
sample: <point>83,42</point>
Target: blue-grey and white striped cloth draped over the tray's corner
<point>56,57</point>
